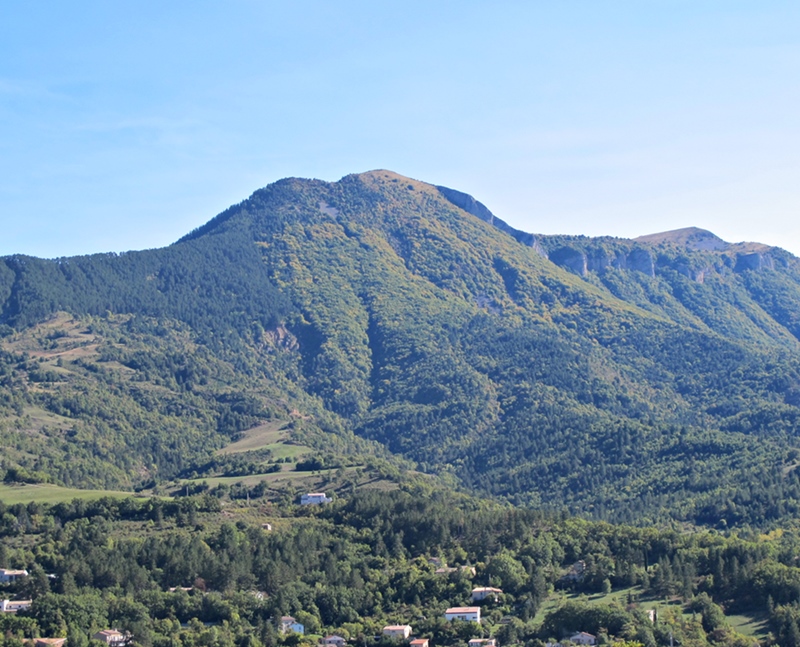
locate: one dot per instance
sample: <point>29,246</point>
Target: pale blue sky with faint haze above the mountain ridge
<point>123,125</point>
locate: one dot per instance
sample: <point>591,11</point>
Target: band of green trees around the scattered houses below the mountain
<point>371,559</point>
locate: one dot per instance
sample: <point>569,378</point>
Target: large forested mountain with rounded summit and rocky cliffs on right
<point>382,316</point>
